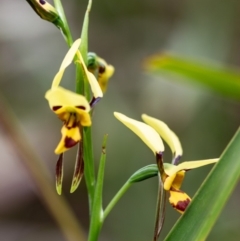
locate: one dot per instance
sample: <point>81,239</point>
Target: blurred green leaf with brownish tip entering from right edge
<point>225,81</point>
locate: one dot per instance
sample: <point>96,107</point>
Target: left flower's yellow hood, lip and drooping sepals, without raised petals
<point>73,110</point>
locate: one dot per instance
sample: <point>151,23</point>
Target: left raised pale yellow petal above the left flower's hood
<point>66,62</point>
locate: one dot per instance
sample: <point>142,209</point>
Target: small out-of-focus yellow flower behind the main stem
<point>101,69</point>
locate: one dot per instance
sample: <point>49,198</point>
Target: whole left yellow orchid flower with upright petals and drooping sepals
<point>74,111</point>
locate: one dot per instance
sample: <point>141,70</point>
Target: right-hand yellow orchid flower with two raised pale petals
<point>172,175</point>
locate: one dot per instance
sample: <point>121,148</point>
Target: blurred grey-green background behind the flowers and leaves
<point>124,33</point>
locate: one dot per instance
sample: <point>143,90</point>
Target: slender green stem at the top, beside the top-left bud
<point>65,29</point>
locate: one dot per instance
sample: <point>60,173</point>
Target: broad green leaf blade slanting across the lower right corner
<point>199,218</point>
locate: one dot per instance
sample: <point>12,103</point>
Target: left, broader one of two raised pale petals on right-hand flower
<point>148,135</point>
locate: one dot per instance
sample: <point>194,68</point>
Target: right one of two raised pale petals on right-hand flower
<point>166,133</point>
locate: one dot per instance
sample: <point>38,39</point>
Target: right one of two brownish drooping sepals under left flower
<point>78,170</point>
